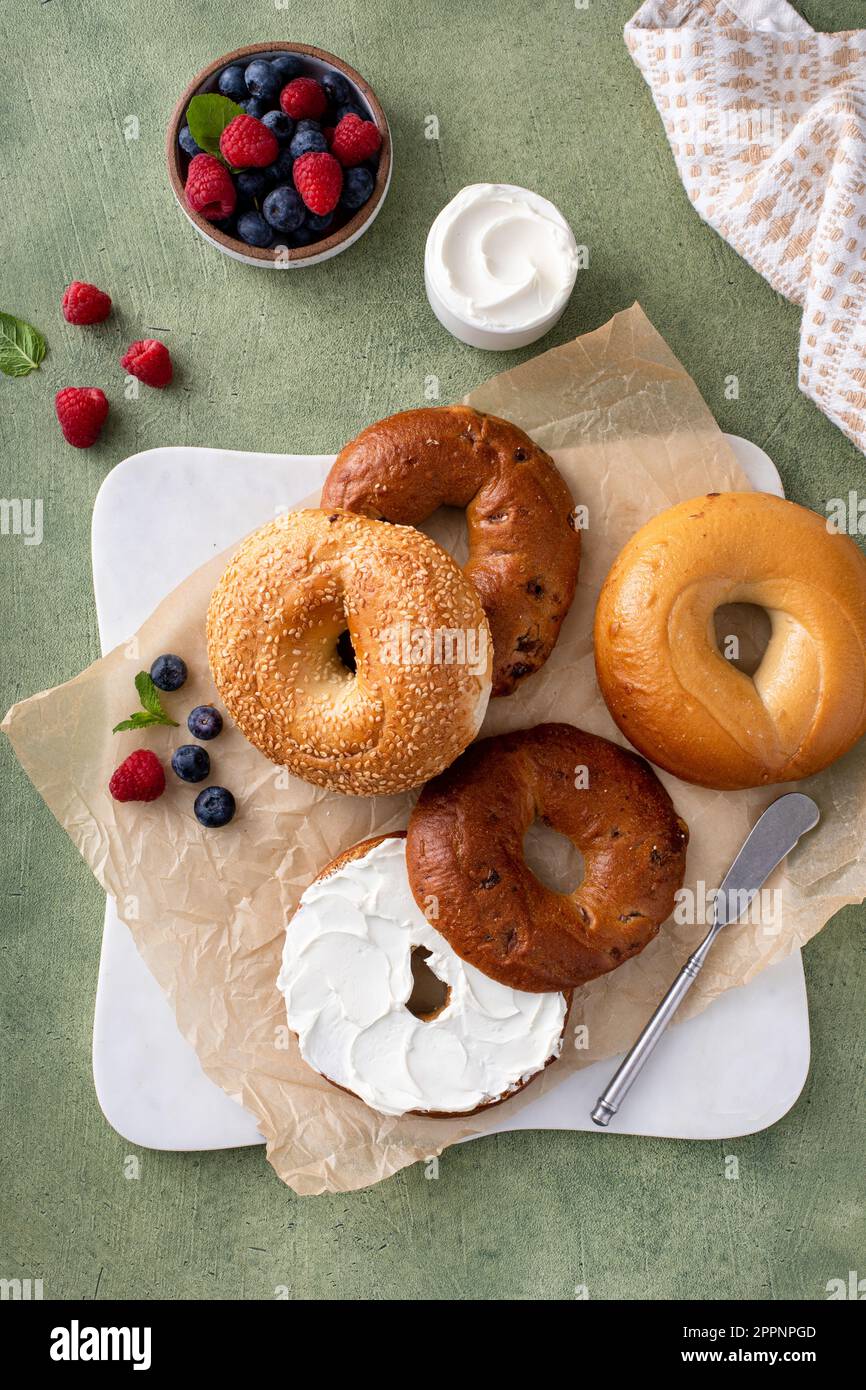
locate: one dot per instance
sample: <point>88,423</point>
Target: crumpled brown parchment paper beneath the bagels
<point>208,910</point>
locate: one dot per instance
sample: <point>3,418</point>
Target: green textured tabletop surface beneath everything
<point>537,94</point>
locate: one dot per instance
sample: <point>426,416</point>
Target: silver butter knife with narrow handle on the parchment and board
<point>774,837</point>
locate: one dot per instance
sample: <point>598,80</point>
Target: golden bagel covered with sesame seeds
<point>419,643</point>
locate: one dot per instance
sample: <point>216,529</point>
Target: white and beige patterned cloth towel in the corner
<point>767,120</point>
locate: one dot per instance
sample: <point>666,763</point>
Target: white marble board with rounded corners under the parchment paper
<point>735,1070</point>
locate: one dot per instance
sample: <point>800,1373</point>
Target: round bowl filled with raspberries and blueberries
<point>280,155</point>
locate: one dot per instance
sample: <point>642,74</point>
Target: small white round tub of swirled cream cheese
<point>500,266</point>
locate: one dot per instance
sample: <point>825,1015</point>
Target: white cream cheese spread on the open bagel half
<point>347,978</point>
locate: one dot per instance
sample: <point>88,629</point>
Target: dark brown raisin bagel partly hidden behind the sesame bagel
<point>523,547</point>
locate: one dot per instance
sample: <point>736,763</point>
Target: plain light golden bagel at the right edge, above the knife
<point>672,692</point>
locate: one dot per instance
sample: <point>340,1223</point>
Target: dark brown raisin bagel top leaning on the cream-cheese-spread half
<point>465,856</point>
